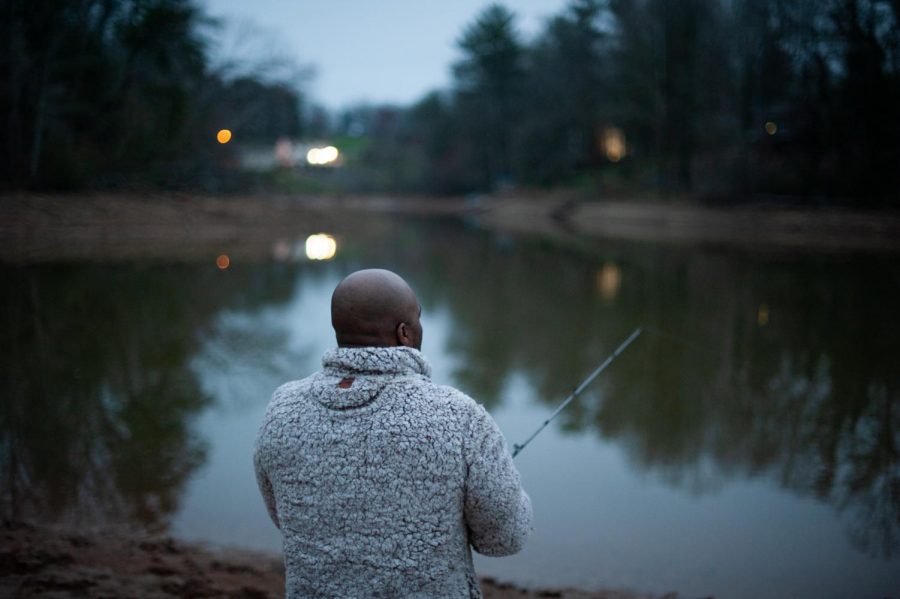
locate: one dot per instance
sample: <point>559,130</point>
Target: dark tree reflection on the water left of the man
<point>99,393</point>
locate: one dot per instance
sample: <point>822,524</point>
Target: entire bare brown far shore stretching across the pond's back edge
<point>109,226</point>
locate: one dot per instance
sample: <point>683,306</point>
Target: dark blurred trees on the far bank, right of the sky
<point>722,98</point>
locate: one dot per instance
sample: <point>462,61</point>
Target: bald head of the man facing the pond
<point>375,308</point>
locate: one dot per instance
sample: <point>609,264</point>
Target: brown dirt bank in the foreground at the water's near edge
<point>51,562</point>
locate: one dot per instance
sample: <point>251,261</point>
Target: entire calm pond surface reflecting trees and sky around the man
<point>746,446</point>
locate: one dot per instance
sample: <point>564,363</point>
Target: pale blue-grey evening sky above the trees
<point>376,51</point>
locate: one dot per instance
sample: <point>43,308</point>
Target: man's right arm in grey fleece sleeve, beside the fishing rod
<point>497,509</point>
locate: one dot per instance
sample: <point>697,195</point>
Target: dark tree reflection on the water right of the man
<point>752,365</point>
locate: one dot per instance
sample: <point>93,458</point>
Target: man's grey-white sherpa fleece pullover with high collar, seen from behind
<point>380,488</point>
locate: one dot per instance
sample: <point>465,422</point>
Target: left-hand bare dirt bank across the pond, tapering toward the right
<point>35,228</point>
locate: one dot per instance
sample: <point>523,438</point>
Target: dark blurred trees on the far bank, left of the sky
<point>124,93</point>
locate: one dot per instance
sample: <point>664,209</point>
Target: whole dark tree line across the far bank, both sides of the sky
<point>723,99</point>
